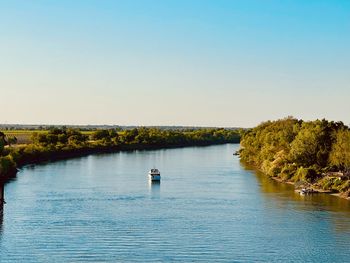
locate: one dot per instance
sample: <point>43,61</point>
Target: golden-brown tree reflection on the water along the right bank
<point>283,196</point>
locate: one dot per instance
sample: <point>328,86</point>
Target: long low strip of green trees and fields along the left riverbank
<point>57,143</point>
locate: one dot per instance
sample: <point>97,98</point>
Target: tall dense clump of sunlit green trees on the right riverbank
<point>314,153</point>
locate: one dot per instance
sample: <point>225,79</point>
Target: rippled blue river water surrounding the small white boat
<point>208,208</point>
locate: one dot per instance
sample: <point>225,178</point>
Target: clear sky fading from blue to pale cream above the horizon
<point>173,62</point>
